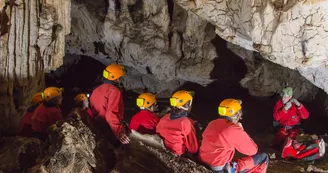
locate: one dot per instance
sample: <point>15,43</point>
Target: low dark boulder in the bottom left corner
<point>18,153</point>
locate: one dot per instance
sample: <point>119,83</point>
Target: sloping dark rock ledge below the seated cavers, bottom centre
<point>135,156</point>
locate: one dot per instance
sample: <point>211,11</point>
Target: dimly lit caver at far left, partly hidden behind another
<point>25,124</point>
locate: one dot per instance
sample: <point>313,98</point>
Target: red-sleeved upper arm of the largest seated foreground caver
<point>242,141</point>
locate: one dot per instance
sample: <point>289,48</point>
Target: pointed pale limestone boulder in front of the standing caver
<point>76,147</point>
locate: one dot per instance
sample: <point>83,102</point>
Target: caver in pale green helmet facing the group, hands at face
<point>288,112</point>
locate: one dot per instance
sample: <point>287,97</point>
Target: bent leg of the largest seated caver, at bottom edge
<point>255,164</point>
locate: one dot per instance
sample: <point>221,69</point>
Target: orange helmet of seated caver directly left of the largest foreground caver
<point>180,98</point>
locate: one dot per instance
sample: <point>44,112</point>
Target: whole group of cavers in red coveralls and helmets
<point>221,138</point>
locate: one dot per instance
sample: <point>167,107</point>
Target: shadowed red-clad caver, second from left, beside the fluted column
<point>47,113</point>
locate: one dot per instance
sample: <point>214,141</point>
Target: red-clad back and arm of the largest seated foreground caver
<point>220,140</point>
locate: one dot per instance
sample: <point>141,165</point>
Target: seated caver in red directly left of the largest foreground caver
<point>176,129</point>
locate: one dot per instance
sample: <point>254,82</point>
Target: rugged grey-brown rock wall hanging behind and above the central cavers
<point>165,44</point>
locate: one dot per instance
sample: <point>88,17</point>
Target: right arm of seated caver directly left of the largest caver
<point>190,140</point>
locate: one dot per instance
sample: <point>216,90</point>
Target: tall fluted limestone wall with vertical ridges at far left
<point>32,42</point>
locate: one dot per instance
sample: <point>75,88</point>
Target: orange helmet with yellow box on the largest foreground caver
<point>229,107</point>
